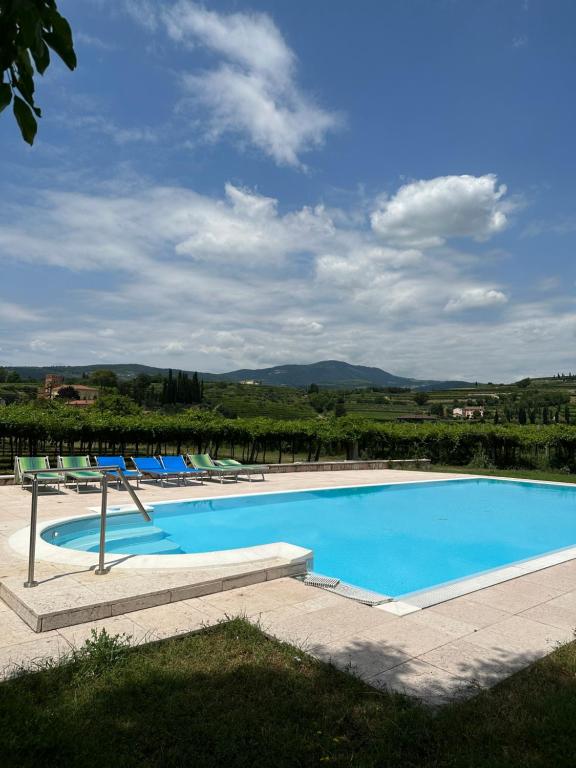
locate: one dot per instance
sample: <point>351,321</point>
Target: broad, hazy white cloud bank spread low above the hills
<point>217,283</point>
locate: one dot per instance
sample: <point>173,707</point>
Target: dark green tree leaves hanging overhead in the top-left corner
<point>28,29</point>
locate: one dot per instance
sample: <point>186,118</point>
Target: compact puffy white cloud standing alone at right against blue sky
<point>428,212</point>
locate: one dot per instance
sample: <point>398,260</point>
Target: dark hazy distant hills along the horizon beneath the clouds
<point>328,373</point>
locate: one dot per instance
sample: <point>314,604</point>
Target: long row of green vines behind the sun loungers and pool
<point>51,429</point>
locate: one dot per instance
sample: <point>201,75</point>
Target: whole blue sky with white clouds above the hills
<point>244,184</point>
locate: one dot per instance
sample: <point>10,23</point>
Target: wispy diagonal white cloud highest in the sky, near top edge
<point>253,92</point>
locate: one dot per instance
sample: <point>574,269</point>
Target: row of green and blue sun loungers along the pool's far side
<point>78,469</point>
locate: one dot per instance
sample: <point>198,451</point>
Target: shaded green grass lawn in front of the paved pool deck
<point>229,696</point>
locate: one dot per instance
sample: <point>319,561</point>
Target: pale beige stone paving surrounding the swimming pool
<point>437,653</point>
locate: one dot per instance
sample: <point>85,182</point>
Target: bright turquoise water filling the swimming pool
<point>392,539</point>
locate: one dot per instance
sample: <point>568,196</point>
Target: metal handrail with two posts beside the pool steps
<point>104,471</point>
